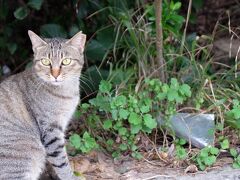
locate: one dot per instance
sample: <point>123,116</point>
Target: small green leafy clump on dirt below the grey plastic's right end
<point>207,157</point>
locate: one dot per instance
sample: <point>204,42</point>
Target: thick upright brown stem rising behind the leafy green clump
<point>160,62</point>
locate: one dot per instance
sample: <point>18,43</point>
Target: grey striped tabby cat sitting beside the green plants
<point>36,107</point>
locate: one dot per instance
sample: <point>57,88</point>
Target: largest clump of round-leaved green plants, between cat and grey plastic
<point>124,116</point>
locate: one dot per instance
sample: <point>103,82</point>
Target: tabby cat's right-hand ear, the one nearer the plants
<point>78,41</point>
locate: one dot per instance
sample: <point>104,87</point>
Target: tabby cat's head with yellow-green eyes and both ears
<point>58,60</point>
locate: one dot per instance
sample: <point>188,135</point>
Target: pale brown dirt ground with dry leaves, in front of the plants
<point>98,166</point>
